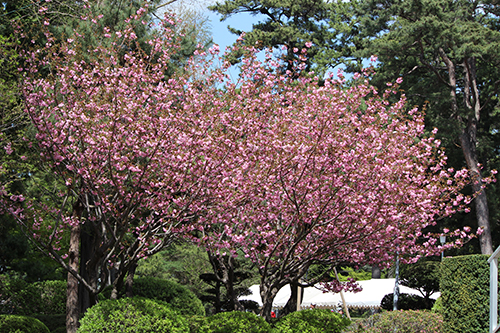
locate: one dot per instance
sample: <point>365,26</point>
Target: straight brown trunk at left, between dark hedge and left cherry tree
<point>72,306</point>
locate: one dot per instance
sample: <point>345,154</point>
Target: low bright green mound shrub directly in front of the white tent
<point>312,321</point>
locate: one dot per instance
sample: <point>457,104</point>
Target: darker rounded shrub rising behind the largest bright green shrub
<point>179,297</point>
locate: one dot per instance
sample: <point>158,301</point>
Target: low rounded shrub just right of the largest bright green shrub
<point>234,322</point>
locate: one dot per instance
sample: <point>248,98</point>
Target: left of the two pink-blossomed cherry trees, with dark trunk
<point>125,151</point>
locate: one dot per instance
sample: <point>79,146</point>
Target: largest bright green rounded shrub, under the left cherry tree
<point>132,315</point>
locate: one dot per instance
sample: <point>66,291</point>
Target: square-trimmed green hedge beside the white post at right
<point>465,293</point>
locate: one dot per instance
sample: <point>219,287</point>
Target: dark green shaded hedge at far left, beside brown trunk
<point>41,298</point>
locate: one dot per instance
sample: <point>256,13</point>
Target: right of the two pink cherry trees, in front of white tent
<point>325,175</point>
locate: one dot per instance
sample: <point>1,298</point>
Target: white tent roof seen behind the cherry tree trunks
<point>370,297</point>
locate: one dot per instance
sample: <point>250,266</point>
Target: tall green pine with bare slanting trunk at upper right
<point>447,52</point>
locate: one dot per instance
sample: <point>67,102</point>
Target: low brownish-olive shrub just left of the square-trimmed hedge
<point>402,322</point>
